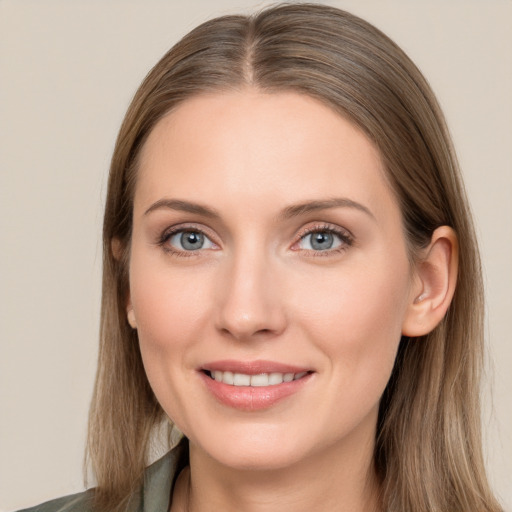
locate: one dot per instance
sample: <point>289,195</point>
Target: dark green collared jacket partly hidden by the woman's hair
<point>154,494</point>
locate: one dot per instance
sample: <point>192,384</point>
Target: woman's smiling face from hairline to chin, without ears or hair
<point>266,247</point>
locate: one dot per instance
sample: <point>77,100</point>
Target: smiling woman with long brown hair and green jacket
<point>291,277</point>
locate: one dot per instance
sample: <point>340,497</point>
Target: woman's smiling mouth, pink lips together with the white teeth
<point>251,386</point>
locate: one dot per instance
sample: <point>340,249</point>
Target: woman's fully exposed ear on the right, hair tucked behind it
<point>436,278</point>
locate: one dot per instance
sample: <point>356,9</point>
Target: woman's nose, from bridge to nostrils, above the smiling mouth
<point>250,305</point>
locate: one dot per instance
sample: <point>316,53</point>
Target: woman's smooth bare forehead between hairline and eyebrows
<point>252,146</point>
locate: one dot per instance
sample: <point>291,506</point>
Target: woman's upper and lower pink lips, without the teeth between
<point>247,398</point>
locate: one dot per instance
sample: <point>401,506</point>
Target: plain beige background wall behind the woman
<point>67,72</point>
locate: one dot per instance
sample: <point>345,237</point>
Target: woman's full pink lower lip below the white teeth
<point>249,398</point>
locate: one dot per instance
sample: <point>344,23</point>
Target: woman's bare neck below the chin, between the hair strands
<point>337,478</point>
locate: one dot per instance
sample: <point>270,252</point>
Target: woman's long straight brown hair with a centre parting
<point>428,447</point>
